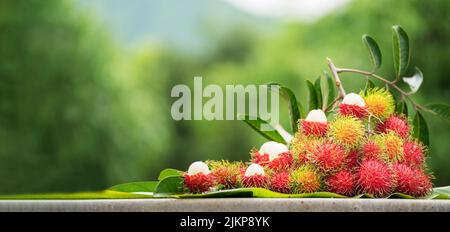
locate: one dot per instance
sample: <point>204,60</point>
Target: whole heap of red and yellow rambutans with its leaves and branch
<point>347,145</point>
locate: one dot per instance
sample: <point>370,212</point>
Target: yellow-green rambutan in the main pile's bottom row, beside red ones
<point>305,179</point>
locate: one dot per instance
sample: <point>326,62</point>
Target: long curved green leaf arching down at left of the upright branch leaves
<point>295,107</point>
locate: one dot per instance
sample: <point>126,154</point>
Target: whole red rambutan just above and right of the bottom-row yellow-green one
<point>328,156</point>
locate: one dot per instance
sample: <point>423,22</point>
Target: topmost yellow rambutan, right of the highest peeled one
<point>379,102</point>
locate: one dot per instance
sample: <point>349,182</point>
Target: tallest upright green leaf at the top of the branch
<point>400,44</point>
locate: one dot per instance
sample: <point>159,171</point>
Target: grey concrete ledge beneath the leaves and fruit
<point>227,205</point>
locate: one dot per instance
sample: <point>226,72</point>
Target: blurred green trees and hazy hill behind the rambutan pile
<point>85,85</point>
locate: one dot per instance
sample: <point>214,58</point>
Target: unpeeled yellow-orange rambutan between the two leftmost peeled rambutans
<point>226,174</point>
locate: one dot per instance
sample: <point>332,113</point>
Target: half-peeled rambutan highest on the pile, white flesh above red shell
<point>353,105</point>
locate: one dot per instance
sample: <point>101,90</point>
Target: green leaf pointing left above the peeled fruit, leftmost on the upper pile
<point>269,133</point>
